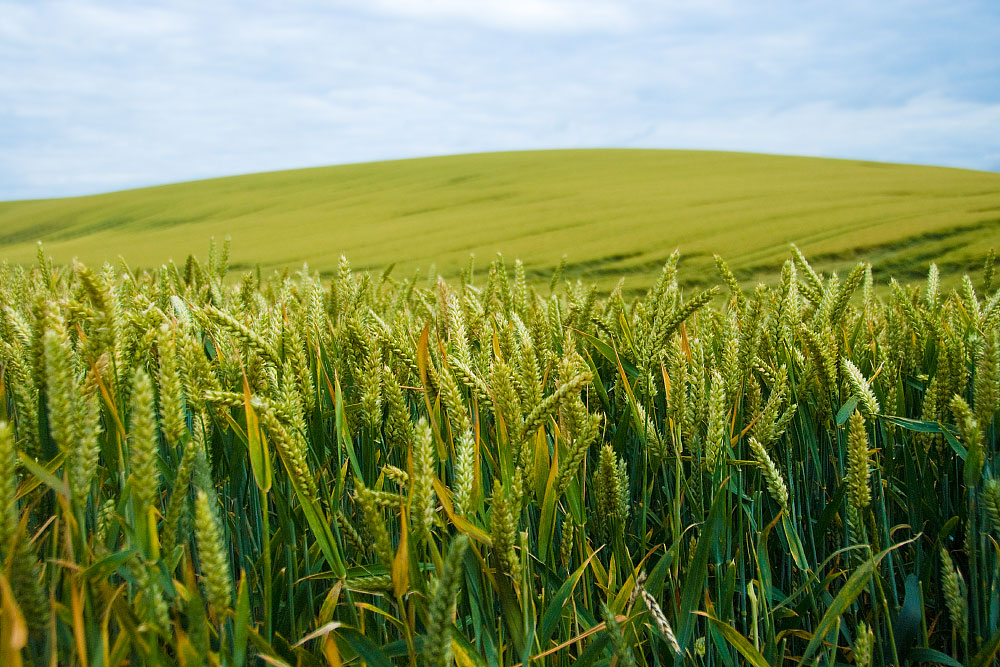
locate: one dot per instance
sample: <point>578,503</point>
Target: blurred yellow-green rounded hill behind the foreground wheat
<point>612,212</point>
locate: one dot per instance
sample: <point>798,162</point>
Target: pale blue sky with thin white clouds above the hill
<point>100,96</point>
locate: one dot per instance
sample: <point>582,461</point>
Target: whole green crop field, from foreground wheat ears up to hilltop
<point>201,466</point>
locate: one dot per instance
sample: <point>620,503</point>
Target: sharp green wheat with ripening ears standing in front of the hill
<point>202,467</point>
